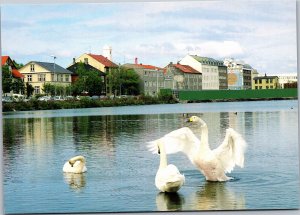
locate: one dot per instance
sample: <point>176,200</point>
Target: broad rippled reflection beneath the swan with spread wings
<point>216,196</point>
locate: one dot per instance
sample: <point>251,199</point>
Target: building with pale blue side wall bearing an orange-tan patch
<point>239,74</point>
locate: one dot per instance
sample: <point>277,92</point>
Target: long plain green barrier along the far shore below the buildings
<point>237,95</point>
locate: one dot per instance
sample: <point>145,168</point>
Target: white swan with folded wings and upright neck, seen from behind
<point>168,177</point>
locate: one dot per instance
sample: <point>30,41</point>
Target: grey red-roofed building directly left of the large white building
<point>182,77</point>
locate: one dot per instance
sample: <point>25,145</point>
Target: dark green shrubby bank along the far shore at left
<point>85,103</point>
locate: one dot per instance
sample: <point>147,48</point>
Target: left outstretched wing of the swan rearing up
<point>180,140</point>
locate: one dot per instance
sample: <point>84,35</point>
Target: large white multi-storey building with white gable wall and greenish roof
<point>210,69</point>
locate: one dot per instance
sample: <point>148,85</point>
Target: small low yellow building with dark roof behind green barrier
<point>265,82</point>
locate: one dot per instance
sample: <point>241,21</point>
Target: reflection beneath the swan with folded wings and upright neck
<point>169,201</point>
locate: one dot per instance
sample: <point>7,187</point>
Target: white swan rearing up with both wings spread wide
<point>213,164</point>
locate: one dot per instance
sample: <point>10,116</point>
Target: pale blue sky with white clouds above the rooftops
<point>261,33</point>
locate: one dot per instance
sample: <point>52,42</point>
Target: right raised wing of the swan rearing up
<point>231,151</point>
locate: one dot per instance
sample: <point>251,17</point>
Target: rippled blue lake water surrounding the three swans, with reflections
<point>121,172</point>
